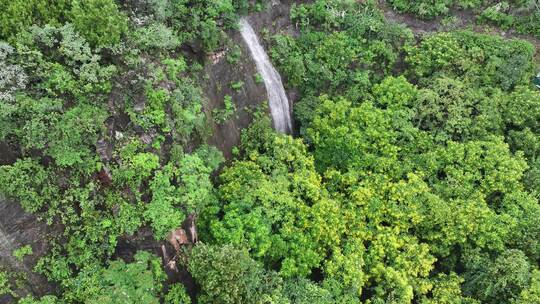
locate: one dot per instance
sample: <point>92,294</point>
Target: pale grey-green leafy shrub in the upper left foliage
<point>63,62</point>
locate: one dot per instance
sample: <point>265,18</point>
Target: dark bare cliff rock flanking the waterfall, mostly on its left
<point>252,94</point>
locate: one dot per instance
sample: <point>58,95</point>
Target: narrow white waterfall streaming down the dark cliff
<point>277,99</point>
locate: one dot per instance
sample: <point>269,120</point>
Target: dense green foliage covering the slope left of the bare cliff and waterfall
<point>67,72</point>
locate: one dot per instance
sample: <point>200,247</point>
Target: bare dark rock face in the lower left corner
<point>17,229</point>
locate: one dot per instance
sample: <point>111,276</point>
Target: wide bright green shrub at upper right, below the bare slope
<point>478,59</point>
